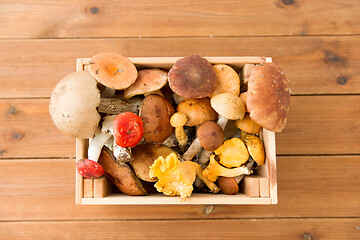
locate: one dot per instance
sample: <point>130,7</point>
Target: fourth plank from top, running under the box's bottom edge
<point>308,187</point>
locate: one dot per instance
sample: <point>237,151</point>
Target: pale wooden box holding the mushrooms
<point>260,188</point>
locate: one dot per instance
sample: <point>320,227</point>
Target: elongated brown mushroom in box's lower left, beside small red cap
<point>121,174</point>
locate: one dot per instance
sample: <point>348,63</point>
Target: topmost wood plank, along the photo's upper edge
<point>54,19</point>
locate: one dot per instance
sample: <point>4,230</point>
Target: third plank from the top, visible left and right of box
<point>316,125</point>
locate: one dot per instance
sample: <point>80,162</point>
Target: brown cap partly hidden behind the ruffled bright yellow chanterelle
<point>144,156</point>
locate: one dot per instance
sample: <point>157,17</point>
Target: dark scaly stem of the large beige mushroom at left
<point>115,106</point>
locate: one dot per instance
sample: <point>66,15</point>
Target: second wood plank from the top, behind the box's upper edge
<point>314,65</point>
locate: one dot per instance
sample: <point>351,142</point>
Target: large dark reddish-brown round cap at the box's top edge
<point>192,77</point>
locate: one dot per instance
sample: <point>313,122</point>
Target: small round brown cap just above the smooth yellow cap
<point>210,135</point>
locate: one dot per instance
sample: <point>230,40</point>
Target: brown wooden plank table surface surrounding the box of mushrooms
<point>317,45</point>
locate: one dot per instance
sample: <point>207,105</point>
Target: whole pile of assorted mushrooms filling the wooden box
<point>169,126</point>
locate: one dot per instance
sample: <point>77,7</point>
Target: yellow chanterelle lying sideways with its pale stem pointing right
<point>215,170</point>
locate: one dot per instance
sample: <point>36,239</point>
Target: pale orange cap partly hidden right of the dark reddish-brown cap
<point>227,80</point>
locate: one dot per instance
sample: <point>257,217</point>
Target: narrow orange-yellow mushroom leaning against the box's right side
<point>255,147</point>
